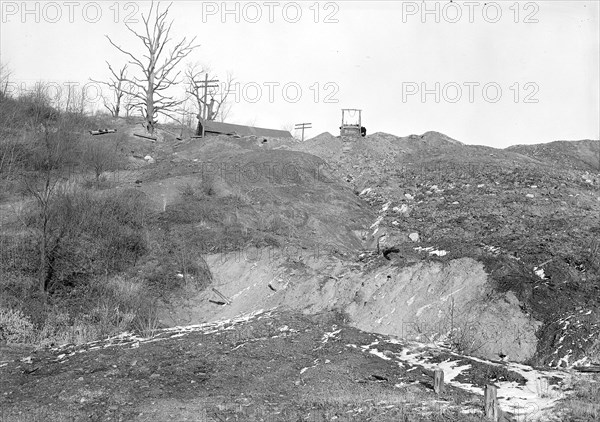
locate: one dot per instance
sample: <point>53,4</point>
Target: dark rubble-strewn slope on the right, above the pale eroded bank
<point>532,220</point>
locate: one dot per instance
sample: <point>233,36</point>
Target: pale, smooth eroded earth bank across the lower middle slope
<point>450,302</point>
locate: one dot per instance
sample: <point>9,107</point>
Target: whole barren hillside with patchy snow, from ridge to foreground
<point>450,254</point>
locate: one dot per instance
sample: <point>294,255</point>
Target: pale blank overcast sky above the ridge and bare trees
<point>490,73</point>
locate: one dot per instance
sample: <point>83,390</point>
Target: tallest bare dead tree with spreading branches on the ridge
<point>157,66</point>
